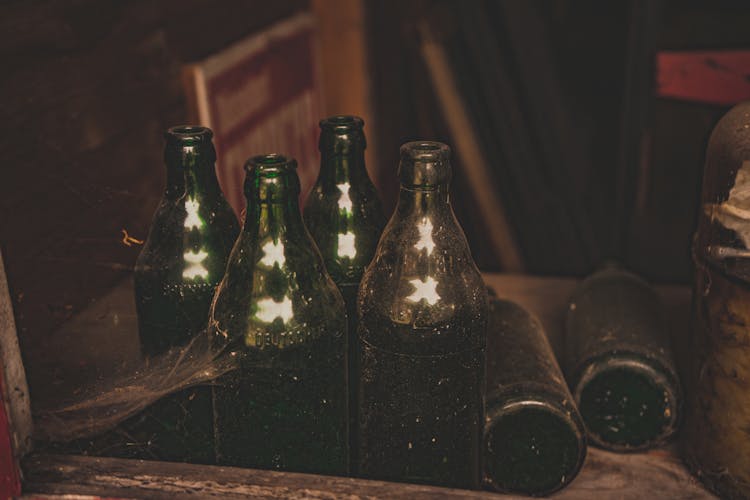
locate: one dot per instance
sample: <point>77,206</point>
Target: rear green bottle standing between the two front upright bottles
<point>344,216</point>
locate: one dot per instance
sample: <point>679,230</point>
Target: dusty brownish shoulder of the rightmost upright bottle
<point>423,290</point>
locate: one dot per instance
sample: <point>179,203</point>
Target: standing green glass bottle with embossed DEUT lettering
<point>281,315</point>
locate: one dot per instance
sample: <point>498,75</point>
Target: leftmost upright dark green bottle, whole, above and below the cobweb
<point>176,274</point>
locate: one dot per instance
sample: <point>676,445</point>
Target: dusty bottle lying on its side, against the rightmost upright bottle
<point>534,438</point>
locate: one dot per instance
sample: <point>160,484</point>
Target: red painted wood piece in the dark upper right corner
<point>716,77</point>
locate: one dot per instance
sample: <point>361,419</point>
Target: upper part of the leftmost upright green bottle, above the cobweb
<point>188,245</point>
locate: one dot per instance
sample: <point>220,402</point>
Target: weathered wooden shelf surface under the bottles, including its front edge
<point>604,475</point>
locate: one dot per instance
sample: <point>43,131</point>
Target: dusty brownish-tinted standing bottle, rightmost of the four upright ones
<point>423,314</point>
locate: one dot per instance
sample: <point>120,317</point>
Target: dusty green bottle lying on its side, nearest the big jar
<point>619,362</point>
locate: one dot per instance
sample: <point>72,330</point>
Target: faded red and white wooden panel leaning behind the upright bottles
<point>261,94</point>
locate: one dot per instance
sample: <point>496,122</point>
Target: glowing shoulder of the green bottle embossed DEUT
<point>276,291</point>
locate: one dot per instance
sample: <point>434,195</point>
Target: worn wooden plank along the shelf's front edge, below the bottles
<point>59,474</point>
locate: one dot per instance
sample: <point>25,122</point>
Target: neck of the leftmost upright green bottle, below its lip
<point>191,171</point>
